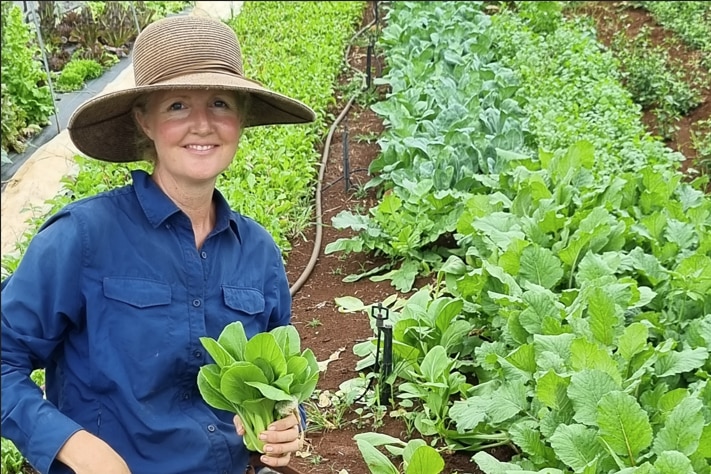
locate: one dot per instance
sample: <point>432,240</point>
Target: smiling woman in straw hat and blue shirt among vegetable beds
<point>115,290</point>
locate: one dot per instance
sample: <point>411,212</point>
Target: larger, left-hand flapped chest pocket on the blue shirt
<point>138,317</point>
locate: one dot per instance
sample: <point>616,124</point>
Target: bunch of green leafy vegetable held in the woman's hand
<point>261,379</point>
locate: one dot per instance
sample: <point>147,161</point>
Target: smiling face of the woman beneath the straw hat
<point>195,132</point>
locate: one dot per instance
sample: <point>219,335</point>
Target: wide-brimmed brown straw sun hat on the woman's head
<point>183,52</point>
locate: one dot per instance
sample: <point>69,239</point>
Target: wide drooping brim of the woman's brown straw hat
<point>104,128</point>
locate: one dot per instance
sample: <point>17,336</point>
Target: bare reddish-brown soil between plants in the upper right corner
<point>612,17</point>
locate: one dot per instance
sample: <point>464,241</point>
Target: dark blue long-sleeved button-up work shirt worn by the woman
<point>111,297</point>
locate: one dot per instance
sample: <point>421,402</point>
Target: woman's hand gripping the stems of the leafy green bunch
<point>281,438</point>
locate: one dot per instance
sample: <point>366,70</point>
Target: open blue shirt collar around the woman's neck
<point>158,207</point>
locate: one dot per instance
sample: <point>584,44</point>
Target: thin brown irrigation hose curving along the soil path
<point>319,185</point>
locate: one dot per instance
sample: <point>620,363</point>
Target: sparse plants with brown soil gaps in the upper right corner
<point>663,51</point>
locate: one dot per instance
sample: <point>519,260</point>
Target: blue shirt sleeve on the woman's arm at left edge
<point>41,300</point>
